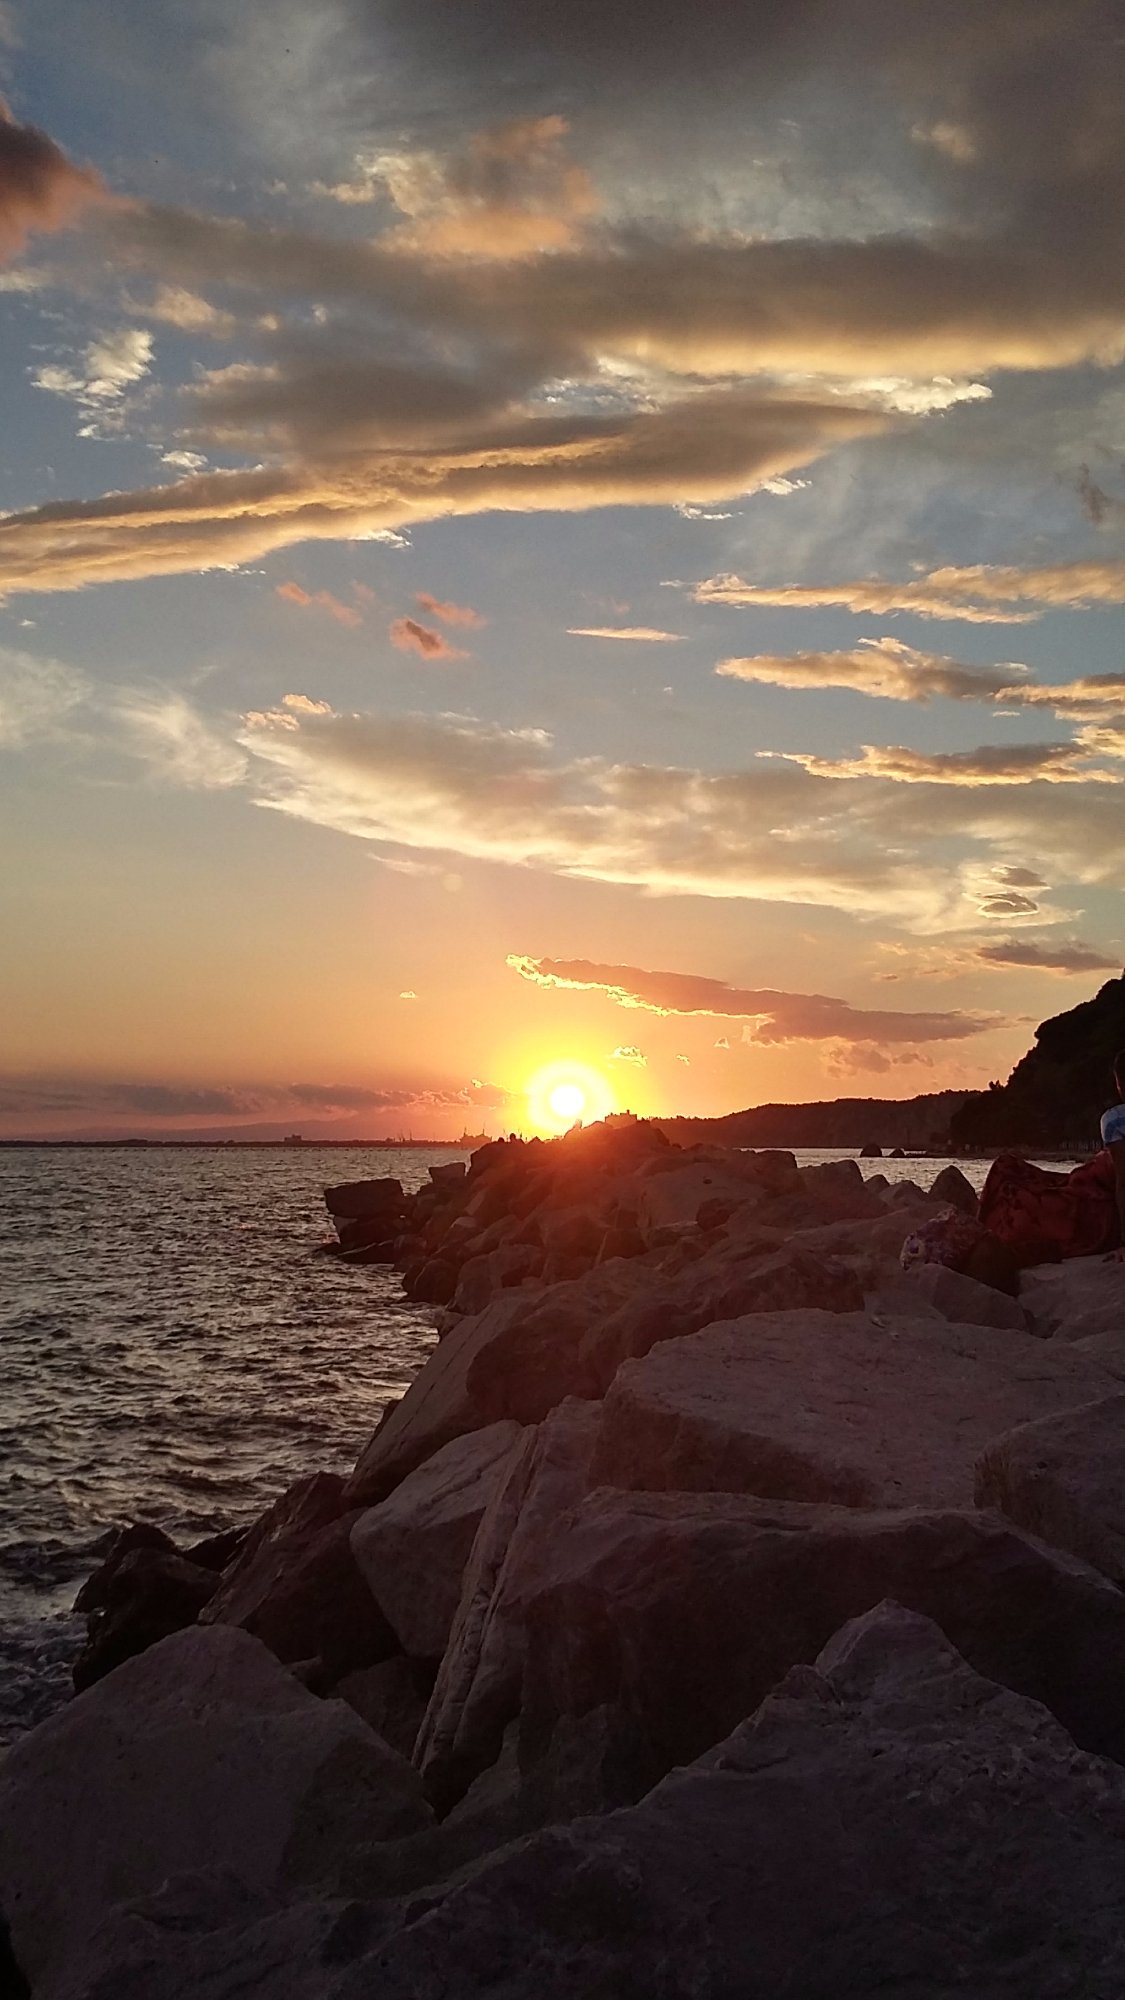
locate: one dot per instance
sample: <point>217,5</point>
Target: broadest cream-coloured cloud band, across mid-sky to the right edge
<point>776,831</point>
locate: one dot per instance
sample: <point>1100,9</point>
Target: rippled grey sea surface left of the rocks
<point>173,1349</point>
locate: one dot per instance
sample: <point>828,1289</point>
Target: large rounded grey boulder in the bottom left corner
<point>201,1755</point>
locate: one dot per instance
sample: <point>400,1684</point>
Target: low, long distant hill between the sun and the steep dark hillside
<point>852,1123</point>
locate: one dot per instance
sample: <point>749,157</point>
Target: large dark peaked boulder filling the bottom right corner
<point>888,1823</point>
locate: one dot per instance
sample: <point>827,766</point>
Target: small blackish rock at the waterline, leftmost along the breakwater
<point>135,1601</point>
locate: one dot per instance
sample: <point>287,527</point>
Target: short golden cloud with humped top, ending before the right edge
<point>880,667</point>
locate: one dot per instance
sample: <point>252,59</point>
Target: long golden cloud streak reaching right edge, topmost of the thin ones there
<point>978,595</point>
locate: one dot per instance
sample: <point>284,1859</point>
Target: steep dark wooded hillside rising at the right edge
<point>1058,1093</point>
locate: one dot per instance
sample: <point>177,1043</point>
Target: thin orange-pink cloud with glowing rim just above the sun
<point>772,1017</point>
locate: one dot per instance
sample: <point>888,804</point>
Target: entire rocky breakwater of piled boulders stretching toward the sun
<point>724,1611</point>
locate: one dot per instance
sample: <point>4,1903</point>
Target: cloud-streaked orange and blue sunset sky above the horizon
<point>553,535</point>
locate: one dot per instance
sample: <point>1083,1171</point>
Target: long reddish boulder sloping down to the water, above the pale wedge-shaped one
<point>515,1361</point>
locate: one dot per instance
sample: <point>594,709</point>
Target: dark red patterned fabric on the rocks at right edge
<point>1046,1217</point>
